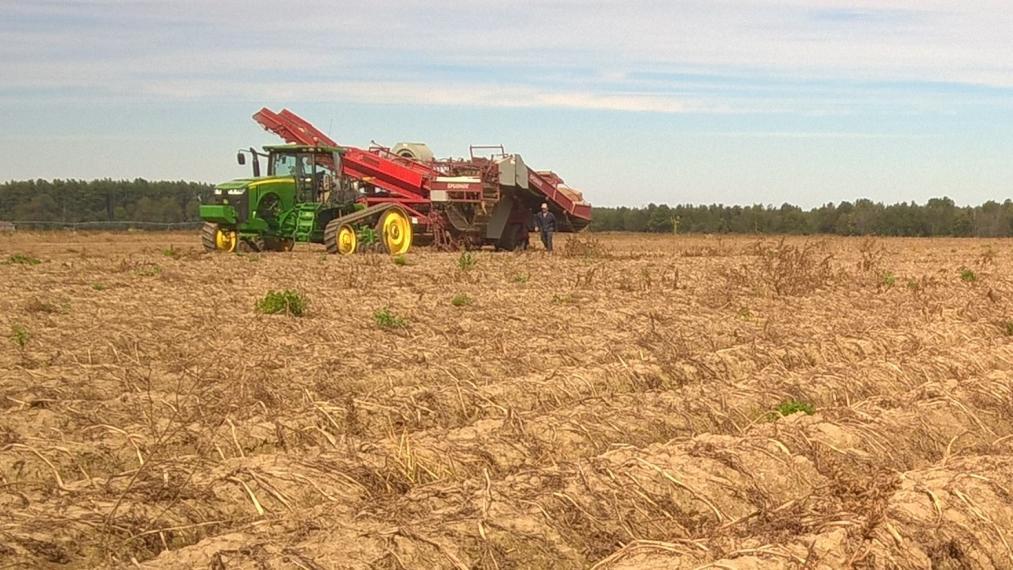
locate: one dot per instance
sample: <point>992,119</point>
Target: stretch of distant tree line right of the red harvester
<point>939,217</point>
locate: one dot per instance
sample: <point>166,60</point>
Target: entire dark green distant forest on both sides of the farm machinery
<point>107,201</point>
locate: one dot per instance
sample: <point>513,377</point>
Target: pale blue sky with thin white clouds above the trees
<point>634,102</point>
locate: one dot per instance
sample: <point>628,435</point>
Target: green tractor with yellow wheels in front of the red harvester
<point>304,198</point>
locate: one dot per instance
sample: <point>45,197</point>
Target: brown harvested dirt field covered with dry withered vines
<point>619,405</point>
